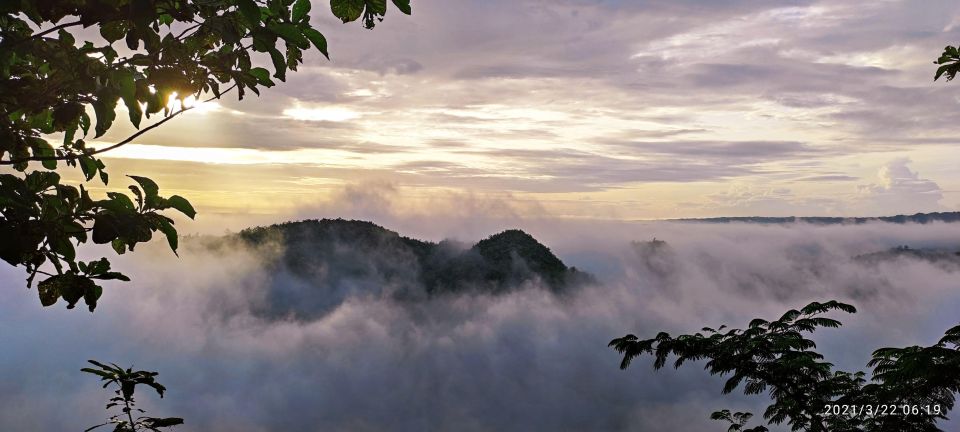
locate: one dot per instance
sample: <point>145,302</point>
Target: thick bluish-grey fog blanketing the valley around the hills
<point>526,360</point>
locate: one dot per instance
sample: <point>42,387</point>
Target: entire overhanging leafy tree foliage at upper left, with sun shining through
<point>158,55</point>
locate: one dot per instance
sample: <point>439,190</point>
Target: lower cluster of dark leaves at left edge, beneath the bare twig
<point>42,219</point>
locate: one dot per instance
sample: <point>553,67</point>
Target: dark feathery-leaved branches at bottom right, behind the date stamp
<point>775,357</point>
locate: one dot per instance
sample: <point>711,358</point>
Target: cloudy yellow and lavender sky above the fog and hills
<point>590,109</point>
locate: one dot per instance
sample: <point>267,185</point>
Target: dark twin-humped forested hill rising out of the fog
<point>336,258</point>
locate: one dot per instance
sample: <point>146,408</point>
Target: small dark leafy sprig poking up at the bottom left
<point>126,382</point>
